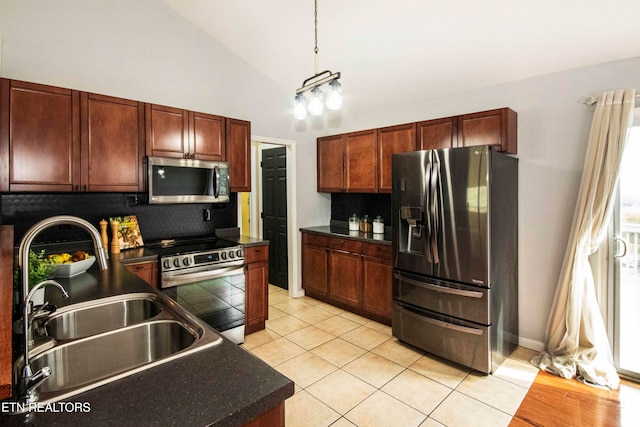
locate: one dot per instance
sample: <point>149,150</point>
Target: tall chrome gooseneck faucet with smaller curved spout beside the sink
<point>29,381</point>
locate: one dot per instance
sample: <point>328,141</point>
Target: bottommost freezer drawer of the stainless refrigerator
<point>462,342</point>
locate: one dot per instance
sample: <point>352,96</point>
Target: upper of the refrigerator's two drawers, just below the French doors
<point>452,299</point>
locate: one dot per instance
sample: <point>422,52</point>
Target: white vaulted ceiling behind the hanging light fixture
<point>400,52</point>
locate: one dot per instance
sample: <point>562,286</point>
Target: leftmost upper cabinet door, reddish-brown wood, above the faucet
<point>39,137</point>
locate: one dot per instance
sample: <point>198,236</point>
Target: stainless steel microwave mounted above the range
<point>187,181</point>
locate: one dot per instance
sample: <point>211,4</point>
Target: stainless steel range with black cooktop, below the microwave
<point>206,277</point>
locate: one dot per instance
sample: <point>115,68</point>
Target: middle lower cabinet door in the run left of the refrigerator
<point>345,278</point>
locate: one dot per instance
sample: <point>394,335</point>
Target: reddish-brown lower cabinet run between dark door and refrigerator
<point>349,274</point>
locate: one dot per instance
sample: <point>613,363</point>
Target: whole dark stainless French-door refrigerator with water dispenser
<point>455,253</point>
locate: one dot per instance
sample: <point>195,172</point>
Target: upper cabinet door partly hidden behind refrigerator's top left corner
<point>393,139</point>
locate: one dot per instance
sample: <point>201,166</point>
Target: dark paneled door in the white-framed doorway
<point>274,212</point>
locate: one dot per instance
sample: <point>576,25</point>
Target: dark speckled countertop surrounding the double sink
<point>220,386</point>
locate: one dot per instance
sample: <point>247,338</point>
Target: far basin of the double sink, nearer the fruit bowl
<point>103,315</point>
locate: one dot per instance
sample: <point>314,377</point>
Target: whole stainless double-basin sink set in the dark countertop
<point>100,341</point>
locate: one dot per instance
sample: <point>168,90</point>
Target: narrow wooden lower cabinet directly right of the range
<point>256,288</point>
